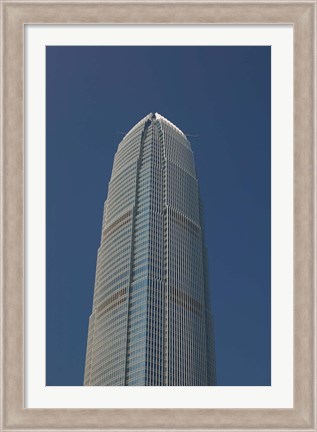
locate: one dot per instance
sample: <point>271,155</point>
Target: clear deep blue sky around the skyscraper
<point>221,94</point>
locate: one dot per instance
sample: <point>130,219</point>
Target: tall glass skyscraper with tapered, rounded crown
<point>151,322</point>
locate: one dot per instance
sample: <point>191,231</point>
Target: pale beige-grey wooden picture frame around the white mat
<point>15,15</point>
